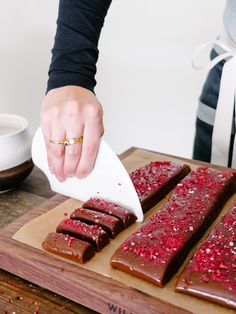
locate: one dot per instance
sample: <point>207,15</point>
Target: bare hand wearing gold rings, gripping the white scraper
<point>71,112</point>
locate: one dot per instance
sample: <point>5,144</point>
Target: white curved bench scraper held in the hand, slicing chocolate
<point>108,180</point>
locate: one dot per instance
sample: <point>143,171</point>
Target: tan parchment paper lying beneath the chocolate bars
<point>34,232</point>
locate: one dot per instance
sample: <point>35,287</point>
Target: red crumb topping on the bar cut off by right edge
<point>214,260</point>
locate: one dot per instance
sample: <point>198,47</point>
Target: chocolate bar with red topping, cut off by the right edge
<point>211,273</point>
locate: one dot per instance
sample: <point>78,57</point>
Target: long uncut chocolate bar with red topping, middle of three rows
<point>156,250</point>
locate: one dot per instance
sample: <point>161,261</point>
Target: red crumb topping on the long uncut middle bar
<point>170,228</point>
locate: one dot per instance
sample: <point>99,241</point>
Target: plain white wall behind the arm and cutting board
<point>146,84</point>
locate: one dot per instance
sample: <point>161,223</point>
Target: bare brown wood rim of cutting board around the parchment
<point>93,290</point>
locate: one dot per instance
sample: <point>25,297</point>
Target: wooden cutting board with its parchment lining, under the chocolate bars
<point>94,284</point>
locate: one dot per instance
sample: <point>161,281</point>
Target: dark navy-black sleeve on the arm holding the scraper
<point>75,51</point>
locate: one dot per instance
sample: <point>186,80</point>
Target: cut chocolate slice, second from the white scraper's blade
<point>110,224</point>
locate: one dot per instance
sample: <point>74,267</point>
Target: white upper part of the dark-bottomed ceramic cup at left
<point>15,141</point>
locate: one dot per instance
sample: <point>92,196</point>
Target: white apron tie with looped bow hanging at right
<point>222,128</point>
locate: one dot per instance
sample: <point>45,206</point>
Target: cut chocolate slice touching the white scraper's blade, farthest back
<point>112,209</point>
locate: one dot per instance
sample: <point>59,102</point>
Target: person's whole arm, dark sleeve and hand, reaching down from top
<point>70,108</point>
